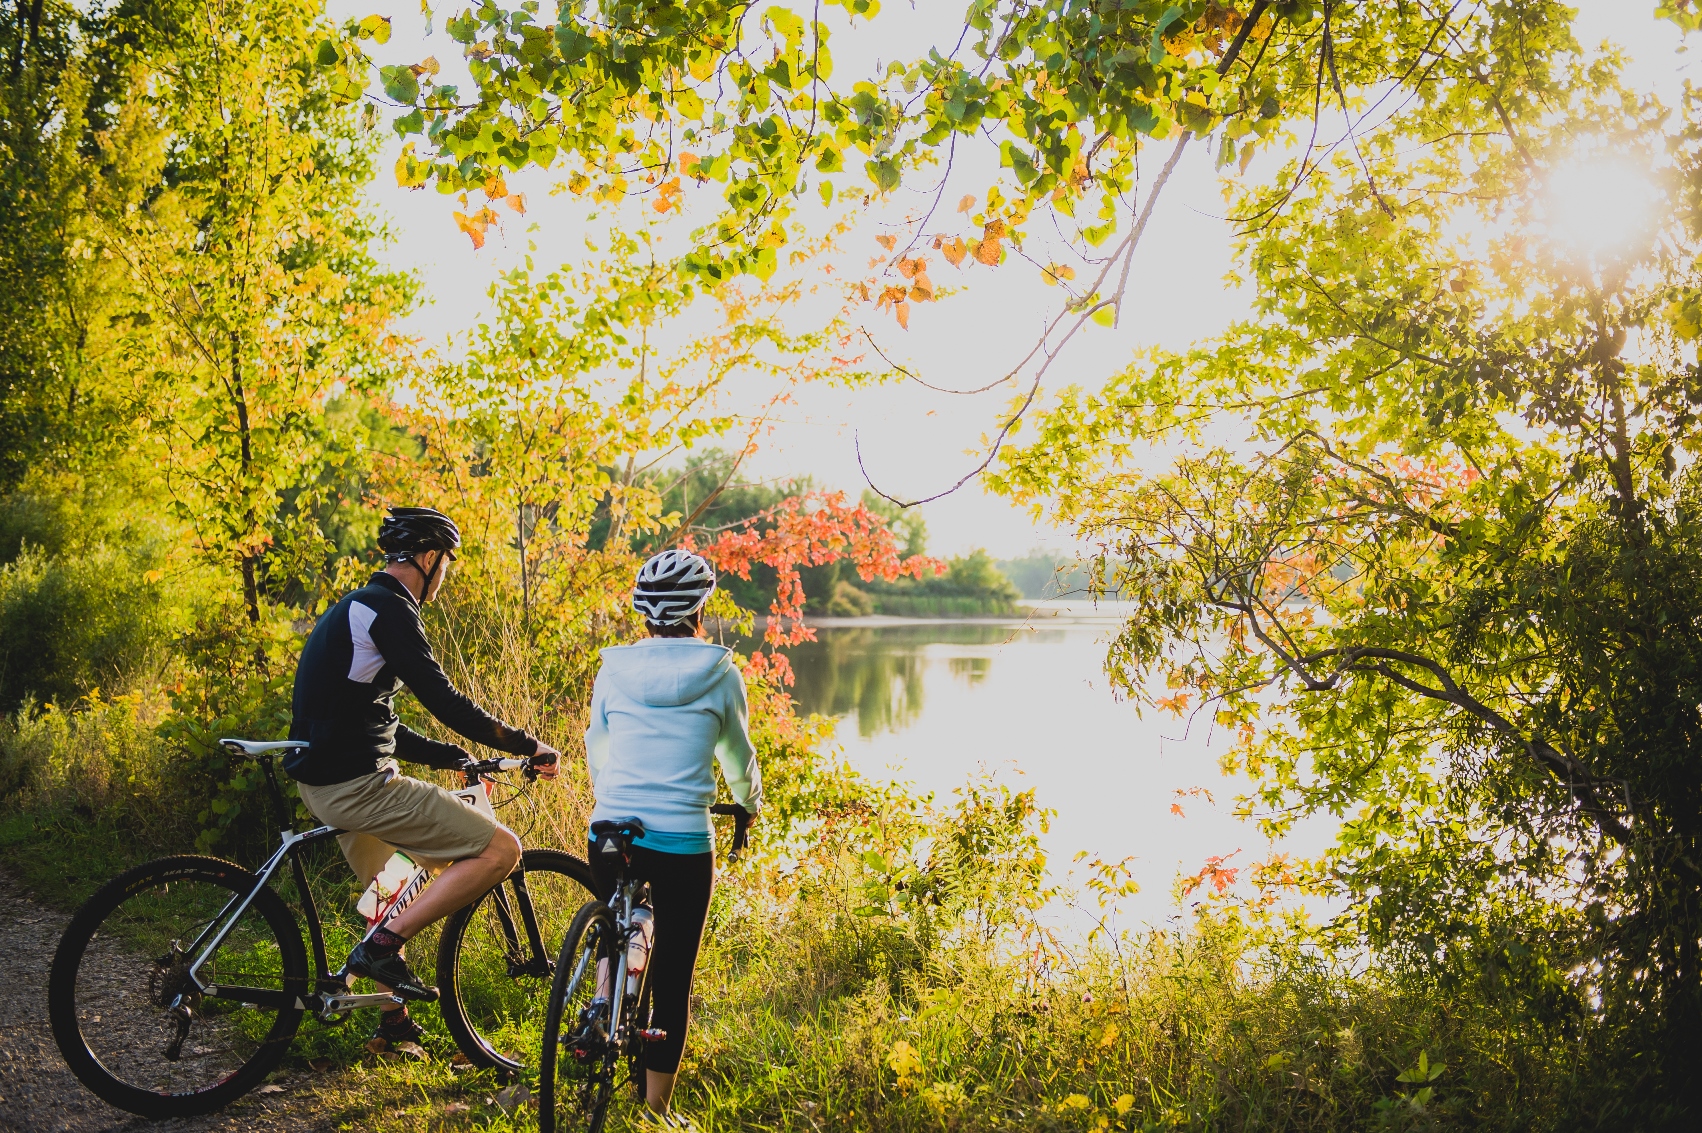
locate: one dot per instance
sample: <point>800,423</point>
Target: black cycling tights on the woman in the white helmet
<point>680,894</point>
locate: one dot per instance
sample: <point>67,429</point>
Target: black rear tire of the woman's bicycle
<point>586,1107</point>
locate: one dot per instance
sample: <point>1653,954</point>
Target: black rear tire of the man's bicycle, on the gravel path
<point>137,911</point>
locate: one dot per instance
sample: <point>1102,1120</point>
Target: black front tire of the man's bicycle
<point>471,1015</point>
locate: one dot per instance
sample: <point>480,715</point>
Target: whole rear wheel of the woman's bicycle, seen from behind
<point>576,1071</point>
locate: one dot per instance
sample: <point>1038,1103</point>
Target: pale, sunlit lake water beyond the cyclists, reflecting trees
<point>1027,700</point>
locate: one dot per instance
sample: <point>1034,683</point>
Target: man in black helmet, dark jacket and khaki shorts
<point>360,656</point>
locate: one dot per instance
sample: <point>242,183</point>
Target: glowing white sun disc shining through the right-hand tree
<point>1601,205</point>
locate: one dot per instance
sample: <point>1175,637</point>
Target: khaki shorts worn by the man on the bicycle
<point>389,812</point>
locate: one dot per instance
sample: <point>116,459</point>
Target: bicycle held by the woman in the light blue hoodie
<point>586,1028</point>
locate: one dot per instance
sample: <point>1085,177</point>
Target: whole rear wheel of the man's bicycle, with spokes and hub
<point>132,1023</point>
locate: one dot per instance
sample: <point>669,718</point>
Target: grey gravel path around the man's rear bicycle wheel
<point>38,1095</point>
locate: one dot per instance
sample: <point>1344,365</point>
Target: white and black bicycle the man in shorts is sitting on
<point>180,986</point>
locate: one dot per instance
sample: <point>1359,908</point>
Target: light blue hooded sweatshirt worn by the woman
<point>663,712</point>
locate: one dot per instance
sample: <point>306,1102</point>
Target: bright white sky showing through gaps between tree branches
<point>915,441</point>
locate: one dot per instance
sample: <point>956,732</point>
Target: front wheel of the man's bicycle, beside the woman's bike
<point>494,979</point>
